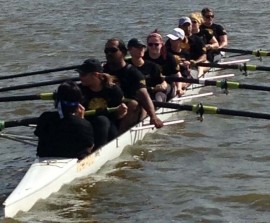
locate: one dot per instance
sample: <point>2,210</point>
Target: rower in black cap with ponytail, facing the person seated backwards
<point>100,93</point>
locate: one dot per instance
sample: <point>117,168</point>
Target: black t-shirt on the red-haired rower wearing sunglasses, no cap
<point>168,65</point>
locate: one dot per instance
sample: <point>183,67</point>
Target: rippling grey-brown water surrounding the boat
<point>214,171</point>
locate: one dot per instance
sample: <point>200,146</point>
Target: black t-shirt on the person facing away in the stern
<point>67,137</point>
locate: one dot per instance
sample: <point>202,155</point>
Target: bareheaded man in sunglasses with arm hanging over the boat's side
<point>132,82</point>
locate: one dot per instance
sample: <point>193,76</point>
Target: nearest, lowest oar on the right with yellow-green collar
<point>201,109</point>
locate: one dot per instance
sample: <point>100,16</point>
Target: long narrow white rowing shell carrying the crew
<point>47,175</point>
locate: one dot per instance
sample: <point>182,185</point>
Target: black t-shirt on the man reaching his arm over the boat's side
<point>129,78</point>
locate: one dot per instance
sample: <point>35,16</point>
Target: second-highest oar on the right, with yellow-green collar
<point>241,67</point>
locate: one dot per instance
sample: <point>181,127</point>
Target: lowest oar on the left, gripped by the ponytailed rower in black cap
<point>33,120</point>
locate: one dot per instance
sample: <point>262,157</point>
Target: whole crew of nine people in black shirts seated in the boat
<point>127,85</point>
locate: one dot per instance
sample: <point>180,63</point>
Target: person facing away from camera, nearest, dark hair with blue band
<point>65,132</point>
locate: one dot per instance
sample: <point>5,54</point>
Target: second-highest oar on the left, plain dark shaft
<point>44,83</point>
